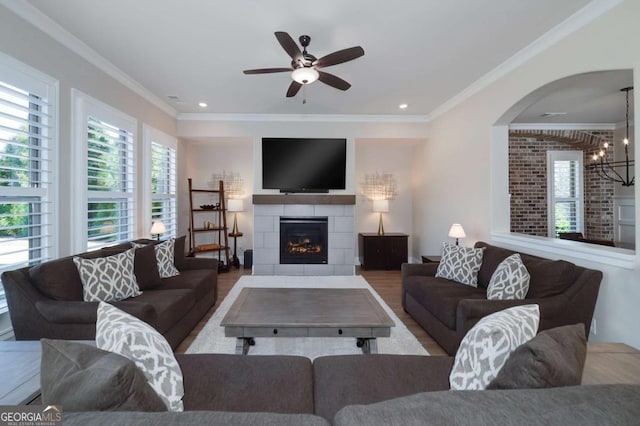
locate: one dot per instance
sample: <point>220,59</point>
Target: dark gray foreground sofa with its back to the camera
<point>363,389</point>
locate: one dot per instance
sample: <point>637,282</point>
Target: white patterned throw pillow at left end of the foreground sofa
<point>124,334</point>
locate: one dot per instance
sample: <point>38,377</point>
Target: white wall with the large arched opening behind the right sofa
<point>465,164</point>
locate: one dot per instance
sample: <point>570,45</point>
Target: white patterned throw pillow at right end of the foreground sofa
<point>486,347</point>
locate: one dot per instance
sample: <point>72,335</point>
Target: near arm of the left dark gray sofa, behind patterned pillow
<point>77,312</point>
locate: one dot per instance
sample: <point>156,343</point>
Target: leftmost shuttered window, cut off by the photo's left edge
<point>27,129</point>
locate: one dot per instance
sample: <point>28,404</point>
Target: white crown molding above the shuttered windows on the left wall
<point>45,24</point>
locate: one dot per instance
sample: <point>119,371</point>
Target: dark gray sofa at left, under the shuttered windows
<point>45,301</point>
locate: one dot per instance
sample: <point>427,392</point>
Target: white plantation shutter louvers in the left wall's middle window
<point>110,184</point>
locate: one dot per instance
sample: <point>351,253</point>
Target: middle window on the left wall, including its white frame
<point>109,172</point>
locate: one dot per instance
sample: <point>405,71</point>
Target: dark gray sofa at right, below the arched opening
<point>566,294</point>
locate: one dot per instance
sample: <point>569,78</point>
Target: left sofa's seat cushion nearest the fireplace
<point>170,305</point>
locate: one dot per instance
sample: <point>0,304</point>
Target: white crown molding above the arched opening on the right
<point>570,25</point>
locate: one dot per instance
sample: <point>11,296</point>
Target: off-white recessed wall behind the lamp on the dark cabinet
<point>386,156</point>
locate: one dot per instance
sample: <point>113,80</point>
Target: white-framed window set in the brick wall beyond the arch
<point>565,192</point>
